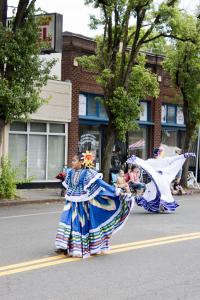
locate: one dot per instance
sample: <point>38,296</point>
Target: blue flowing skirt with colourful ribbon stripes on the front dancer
<point>85,227</point>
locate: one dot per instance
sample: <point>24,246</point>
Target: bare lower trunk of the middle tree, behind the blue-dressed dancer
<point>107,153</point>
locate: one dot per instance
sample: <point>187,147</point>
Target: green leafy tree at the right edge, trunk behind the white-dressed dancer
<point>183,65</point>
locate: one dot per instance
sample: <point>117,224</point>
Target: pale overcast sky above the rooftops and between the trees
<point>76,14</point>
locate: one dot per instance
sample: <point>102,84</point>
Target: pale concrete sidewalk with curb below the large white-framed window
<point>29,196</point>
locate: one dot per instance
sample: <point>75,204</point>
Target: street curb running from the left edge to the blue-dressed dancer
<point>26,201</point>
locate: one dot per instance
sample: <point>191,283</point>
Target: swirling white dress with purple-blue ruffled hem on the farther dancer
<point>157,196</point>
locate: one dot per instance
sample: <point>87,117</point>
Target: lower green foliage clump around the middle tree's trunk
<point>123,104</point>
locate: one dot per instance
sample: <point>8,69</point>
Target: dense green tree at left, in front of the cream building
<point>22,71</point>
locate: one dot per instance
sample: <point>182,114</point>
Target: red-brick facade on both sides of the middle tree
<point>83,81</point>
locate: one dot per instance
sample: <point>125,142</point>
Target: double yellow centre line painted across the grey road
<point>60,259</point>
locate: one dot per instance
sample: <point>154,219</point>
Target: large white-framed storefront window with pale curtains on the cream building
<point>37,149</point>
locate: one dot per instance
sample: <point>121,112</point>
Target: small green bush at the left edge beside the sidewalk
<point>8,179</point>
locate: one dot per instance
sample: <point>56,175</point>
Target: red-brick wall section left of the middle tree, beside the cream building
<point>82,81</point>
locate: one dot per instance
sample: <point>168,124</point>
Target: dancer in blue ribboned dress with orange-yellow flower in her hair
<point>93,211</point>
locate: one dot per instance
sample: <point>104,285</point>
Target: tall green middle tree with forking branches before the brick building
<point>128,25</point>
